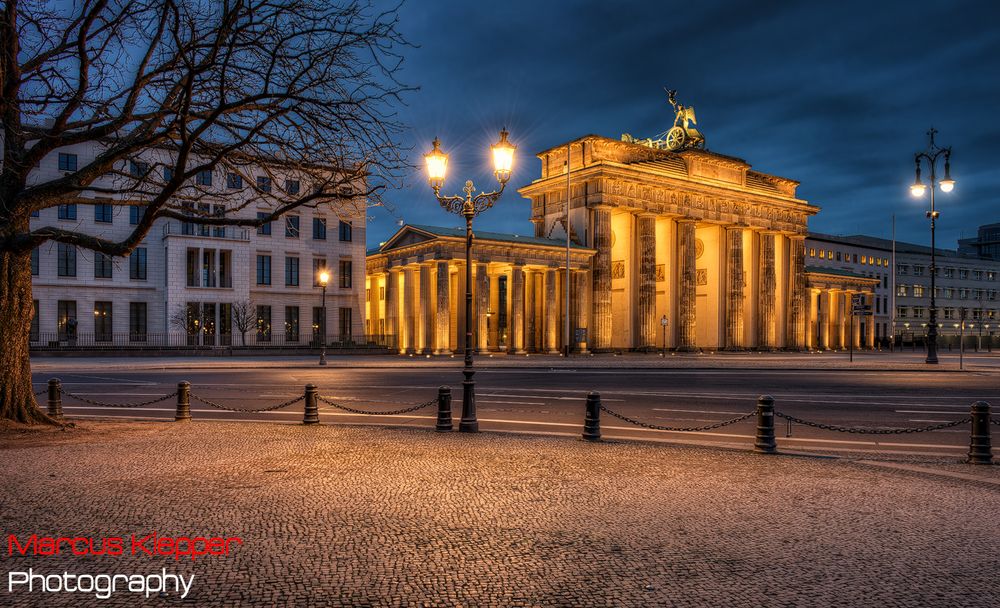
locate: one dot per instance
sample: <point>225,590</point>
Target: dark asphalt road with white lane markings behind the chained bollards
<point>552,400</point>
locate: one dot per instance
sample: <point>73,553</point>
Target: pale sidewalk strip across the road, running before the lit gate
<point>867,361</point>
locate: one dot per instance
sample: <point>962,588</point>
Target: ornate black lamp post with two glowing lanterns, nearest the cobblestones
<point>469,207</point>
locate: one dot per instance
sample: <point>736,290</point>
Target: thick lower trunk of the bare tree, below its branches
<point>17,399</point>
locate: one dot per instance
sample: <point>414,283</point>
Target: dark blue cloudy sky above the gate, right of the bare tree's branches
<point>838,96</point>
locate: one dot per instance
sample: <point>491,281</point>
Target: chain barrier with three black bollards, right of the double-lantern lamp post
<point>980,440</point>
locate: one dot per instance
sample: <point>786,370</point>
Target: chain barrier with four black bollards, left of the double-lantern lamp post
<point>310,410</point>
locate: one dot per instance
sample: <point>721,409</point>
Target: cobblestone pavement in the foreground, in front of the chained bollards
<point>360,516</point>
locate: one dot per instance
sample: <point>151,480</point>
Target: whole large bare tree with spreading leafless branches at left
<point>167,89</point>
